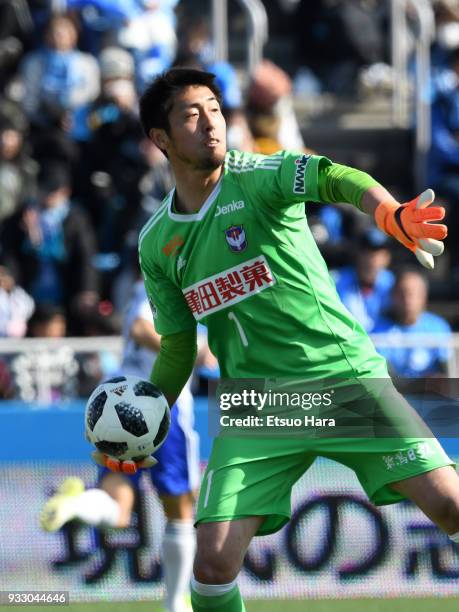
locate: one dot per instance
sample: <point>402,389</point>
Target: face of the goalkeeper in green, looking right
<point>197,135</point>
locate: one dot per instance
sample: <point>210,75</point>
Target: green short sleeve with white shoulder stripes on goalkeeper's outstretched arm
<point>282,179</point>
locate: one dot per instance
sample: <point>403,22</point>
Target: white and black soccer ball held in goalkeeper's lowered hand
<point>127,417</point>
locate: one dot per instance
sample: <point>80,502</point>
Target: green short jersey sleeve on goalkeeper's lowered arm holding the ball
<point>171,314</point>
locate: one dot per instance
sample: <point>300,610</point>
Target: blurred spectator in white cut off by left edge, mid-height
<point>16,306</point>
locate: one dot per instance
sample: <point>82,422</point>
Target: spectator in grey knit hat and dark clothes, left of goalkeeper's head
<point>114,164</point>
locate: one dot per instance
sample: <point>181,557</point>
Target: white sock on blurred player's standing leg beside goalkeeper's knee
<point>179,544</point>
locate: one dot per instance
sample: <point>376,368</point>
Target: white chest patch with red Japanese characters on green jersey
<point>228,287</point>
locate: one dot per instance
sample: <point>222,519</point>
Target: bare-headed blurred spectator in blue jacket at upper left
<point>58,79</point>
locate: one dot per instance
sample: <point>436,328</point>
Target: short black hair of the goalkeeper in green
<point>157,100</point>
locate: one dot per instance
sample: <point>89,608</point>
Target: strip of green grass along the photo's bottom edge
<point>329,605</point>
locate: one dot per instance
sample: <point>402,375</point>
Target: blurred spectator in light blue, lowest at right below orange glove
<point>408,317</point>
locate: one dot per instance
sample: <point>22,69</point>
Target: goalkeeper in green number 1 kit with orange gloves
<point>230,247</point>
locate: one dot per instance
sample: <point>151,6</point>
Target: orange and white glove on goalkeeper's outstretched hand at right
<point>408,223</point>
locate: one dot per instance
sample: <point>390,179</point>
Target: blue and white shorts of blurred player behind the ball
<point>177,470</point>
